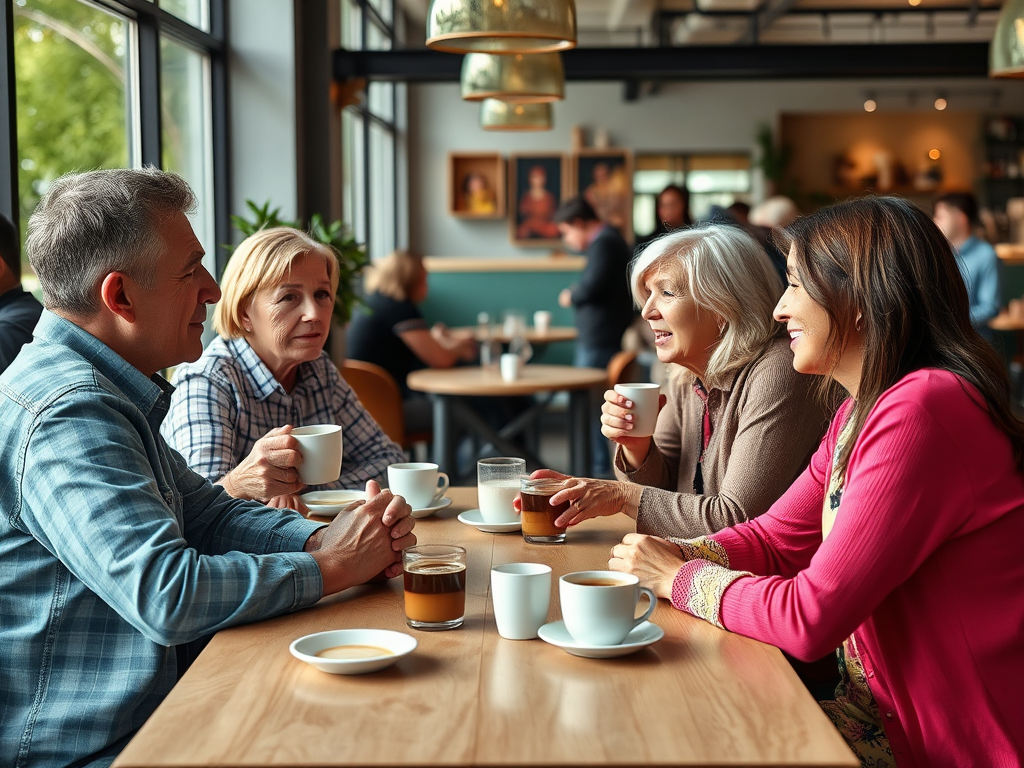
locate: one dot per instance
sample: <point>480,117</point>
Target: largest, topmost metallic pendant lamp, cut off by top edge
<point>501,26</point>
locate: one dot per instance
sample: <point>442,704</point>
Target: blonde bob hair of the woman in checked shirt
<point>262,261</point>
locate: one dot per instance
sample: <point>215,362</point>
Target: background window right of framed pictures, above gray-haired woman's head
<point>712,181</point>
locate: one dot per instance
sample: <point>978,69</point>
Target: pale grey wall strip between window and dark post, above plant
<point>262,82</point>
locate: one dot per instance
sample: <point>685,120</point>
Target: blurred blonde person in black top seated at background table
<point>395,335</point>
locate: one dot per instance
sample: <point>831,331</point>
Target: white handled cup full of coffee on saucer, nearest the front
<point>600,607</point>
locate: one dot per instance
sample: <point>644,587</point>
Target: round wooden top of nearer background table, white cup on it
<point>533,379</point>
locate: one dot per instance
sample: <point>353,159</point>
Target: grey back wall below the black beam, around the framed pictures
<point>692,117</point>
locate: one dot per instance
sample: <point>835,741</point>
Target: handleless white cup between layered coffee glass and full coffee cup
<point>521,593</point>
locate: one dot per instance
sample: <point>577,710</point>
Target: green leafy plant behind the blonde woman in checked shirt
<point>353,259</point>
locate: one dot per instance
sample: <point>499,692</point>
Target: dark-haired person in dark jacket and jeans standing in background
<point>604,307</point>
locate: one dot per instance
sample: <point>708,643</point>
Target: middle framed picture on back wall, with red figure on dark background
<point>537,188</point>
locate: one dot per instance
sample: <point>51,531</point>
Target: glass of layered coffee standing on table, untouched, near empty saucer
<point>436,586</point>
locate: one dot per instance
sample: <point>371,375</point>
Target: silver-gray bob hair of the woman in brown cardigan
<point>727,273</point>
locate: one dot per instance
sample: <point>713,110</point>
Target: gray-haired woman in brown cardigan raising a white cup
<point>737,425</point>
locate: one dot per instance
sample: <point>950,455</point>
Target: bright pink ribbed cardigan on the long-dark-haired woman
<point>924,567</point>
